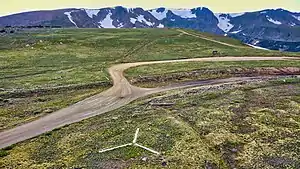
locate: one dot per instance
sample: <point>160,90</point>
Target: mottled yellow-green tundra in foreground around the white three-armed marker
<point>229,126</point>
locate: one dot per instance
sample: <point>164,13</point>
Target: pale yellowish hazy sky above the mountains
<point>14,6</point>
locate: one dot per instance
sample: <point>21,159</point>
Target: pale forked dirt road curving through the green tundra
<point>117,96</point>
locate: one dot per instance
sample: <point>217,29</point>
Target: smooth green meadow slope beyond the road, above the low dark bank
<point>56,57</point>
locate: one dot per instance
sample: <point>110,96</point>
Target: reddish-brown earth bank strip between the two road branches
<point>216,73</point>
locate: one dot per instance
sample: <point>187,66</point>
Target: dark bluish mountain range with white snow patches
<point>275,29</point>
